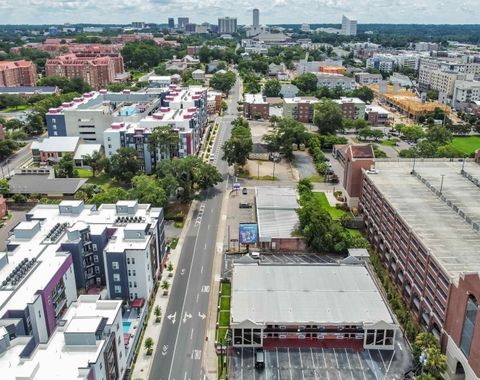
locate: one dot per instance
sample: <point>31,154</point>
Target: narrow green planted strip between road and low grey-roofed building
<point>223,325</point>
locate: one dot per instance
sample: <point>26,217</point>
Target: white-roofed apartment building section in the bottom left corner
<point>88,343</point>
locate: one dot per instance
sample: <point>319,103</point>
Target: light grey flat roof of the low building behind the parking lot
<point>306,294</point>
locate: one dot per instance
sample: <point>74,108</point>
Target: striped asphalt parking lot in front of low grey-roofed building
<point>317,363</point>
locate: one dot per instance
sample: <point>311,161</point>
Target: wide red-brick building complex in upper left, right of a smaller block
<point>98,72</point>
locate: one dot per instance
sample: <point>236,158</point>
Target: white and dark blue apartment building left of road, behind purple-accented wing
<point>118,247</point>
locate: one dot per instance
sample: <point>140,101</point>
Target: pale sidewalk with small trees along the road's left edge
<point>143,364</point>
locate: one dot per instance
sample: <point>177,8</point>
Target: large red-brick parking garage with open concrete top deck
<point>422,219</point>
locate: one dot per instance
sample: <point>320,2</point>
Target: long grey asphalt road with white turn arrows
<point>179,350</point>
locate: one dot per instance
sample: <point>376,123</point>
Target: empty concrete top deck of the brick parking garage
<point>449,238</point>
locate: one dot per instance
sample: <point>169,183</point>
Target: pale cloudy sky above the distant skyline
<point>271,11</point>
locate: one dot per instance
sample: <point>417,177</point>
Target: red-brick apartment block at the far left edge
<point>17,73</point>
